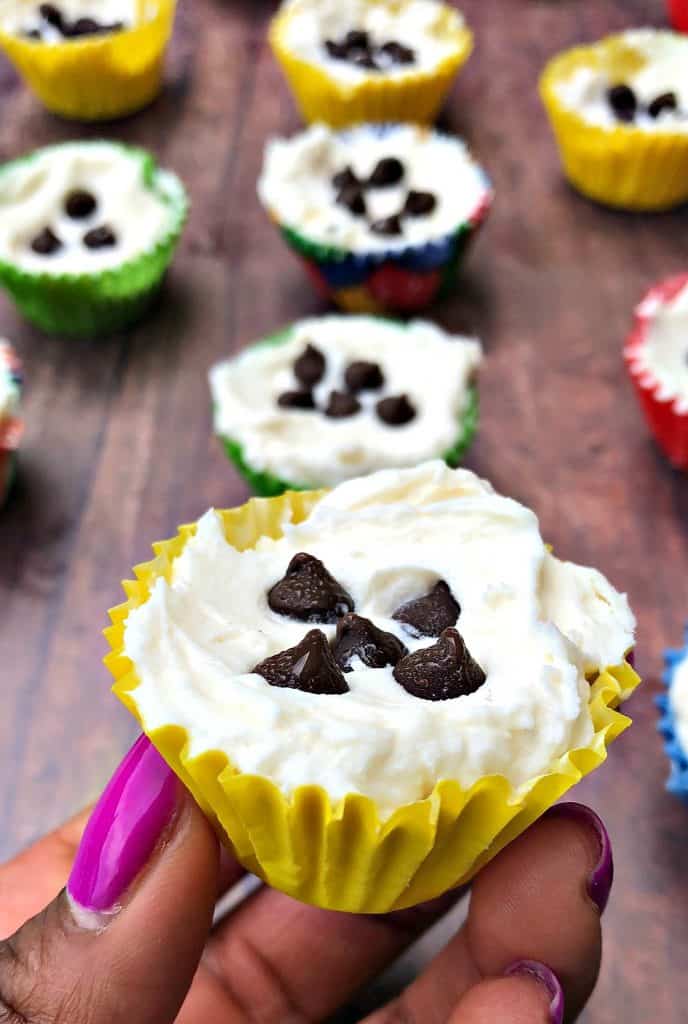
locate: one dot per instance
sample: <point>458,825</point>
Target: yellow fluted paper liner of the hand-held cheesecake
<point>343,857</point>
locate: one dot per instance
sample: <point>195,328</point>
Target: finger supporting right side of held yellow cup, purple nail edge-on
<point>541,900</point>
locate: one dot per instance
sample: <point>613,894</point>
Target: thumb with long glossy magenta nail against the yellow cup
<point>123,942</point>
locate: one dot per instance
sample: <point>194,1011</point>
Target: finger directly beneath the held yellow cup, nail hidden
<point>297,962</point>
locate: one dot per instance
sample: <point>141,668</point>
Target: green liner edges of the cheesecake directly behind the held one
<point>266,485</point>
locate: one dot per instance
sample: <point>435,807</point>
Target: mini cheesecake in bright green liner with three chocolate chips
<point>94,223</point>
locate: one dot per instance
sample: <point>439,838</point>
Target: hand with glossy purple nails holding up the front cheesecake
<point>131,940</point>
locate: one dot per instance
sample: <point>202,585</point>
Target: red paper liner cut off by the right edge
<point>667,421</point>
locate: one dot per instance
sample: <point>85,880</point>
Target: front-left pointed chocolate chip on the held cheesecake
<point>309,667</point>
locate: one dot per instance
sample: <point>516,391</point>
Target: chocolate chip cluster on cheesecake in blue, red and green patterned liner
<point>351,192</point>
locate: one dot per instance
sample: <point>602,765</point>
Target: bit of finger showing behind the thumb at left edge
<point>33,878</point>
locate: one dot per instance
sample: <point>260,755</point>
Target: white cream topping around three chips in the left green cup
<point>32,198</point>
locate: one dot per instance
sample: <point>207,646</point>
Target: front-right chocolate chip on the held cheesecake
<point>442,672</point>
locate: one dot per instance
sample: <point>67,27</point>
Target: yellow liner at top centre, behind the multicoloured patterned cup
<point>415,96</point>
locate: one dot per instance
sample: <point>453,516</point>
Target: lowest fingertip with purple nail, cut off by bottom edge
<point>530,995</point>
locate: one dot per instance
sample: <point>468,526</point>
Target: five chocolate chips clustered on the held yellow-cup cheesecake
<point>310,593</point>
